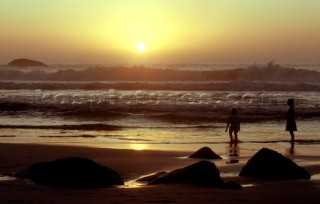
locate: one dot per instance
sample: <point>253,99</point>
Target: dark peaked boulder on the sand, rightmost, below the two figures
<point>269,164</point>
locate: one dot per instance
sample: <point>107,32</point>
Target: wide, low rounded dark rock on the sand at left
<point>71,172</point>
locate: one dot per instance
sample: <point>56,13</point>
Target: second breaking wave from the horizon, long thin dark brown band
<point>237,85</point>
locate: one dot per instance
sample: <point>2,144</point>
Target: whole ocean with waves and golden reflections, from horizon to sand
<point>164,107</point>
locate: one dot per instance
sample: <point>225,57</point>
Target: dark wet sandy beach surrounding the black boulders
<point>133,164</point>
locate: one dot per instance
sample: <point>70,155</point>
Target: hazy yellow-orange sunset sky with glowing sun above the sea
<point>168,31</point>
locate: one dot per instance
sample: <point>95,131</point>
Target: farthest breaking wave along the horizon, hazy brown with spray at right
<point>269,73</point>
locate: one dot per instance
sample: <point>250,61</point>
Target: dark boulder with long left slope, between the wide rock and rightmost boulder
<point>202,173</point>
